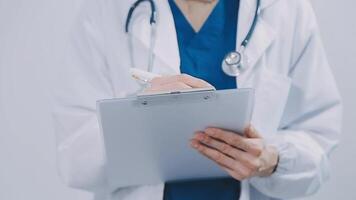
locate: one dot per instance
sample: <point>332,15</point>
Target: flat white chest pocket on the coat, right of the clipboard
<point>271,94</point>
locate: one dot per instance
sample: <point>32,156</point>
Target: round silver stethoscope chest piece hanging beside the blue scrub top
<point>233,63</point>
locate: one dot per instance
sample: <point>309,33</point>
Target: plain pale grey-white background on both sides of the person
<point>31,39</point>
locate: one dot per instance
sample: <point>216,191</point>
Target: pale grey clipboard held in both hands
<point>147,137</point>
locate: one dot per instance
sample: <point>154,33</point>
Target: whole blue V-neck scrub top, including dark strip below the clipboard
<point>201,56</point>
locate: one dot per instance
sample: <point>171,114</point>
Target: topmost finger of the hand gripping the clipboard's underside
<point>228,137</point>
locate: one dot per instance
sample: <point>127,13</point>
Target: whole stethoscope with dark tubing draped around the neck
<point>234,62</point>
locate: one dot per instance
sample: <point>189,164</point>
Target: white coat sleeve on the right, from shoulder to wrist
<point>311,122</point>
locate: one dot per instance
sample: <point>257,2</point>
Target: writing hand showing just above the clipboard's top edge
<point>184,78</point>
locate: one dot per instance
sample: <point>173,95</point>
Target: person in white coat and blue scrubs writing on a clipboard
<point>297,115</point>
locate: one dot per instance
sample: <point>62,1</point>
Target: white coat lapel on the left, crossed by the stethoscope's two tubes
<point>166,50</point>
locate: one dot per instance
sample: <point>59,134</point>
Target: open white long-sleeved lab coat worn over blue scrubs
<point>297,105</point>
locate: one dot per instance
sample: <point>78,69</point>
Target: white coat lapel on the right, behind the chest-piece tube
<point>262,37</point>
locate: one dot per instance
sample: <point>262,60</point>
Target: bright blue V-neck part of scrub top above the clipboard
<point>202,53</point>
